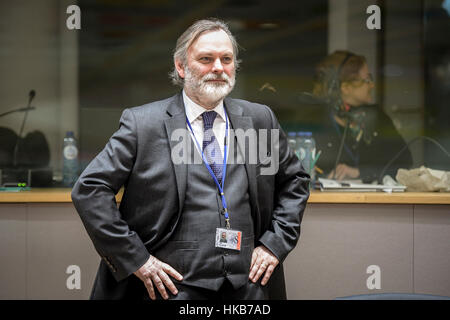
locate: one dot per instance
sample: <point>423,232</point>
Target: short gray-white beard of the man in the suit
<point>206,91</point>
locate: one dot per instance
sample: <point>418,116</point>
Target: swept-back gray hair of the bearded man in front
<point>192,34</point>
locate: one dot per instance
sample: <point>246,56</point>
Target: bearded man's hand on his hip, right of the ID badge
<point>262,261</point>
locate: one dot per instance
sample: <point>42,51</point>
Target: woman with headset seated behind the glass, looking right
<point>358,139</point>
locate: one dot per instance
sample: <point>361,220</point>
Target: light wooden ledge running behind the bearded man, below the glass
<point>63,196</point>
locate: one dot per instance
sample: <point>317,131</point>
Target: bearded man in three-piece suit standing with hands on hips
<point>164,239</point>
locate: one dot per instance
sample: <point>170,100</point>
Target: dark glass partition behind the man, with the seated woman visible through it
<point>367,78</point>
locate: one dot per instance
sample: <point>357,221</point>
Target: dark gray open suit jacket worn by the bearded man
<point>138,157</point>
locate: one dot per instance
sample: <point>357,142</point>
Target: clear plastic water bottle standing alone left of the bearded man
<point>70,160</point>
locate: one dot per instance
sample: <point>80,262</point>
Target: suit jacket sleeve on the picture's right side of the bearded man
<point>290,197</point>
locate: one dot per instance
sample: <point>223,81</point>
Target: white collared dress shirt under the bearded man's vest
<point>194,115</point>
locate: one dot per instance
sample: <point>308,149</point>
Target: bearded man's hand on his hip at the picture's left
<point>157,272</point>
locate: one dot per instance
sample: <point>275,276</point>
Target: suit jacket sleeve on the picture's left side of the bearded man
<point>94,198</point>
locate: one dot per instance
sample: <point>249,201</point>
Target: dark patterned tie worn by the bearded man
<point>211,147</point>
